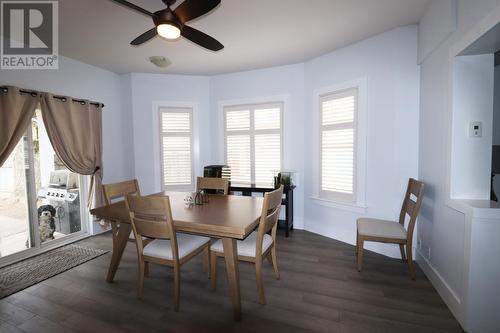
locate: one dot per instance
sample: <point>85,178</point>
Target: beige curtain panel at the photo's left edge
<point>16,111</point>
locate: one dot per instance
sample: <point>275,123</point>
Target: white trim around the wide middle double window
<point>284,100</point>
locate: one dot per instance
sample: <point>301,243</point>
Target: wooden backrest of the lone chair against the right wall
<point>411,205</point>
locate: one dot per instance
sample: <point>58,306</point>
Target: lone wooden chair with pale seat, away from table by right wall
<point>376,230</point>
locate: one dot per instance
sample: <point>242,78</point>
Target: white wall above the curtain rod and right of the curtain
<point>79,80</point>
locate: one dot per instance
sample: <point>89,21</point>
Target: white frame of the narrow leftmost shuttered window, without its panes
<point>176,109</point>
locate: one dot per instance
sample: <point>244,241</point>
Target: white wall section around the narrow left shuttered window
<point>148,89</point>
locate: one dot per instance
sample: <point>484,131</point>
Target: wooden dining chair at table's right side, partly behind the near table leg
<point>258,245</point>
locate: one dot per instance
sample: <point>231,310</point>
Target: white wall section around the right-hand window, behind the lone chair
<point>388,63</point>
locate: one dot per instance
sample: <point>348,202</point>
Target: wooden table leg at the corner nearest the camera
<point>233,275</point>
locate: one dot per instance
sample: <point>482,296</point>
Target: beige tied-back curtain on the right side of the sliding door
<point>75,131</point>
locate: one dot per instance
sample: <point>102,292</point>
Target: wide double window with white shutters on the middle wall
<point>253,142</point>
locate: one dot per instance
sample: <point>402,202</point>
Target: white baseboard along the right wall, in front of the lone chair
<point>448,295</point>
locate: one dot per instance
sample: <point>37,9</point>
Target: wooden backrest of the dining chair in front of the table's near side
<point>151,217</point>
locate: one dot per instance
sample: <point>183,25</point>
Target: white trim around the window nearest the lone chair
<point>359,205</point>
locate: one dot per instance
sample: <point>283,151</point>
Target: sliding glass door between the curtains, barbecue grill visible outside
<point>40,199</point>
